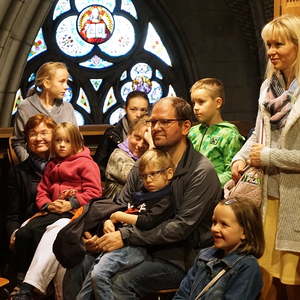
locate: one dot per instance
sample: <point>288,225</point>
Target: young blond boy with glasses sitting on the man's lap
<point>150,207</point>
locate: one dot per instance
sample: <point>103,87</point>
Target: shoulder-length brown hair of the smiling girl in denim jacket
<point>249,217</point>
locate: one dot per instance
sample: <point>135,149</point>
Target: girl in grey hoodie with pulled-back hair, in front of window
<point>46,97</point>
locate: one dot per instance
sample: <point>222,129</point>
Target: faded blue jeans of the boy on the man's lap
<point>97,284</point>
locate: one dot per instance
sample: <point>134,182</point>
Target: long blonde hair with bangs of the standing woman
<point>284,28</point>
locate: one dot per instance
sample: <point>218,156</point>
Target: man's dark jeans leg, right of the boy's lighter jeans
<point>146,278</point>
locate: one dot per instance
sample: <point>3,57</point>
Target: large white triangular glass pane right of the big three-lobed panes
<point>154,45</point>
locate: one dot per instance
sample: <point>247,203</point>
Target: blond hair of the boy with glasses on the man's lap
<point>157,158</point>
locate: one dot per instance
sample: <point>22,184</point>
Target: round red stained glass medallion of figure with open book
<point>95,24</point>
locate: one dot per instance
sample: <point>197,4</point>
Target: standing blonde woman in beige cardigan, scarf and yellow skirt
<point>278,121</point>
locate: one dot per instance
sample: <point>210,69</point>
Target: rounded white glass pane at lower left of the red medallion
<point>68,39</point>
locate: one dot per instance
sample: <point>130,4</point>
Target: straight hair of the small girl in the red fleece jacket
<point>76,138</point>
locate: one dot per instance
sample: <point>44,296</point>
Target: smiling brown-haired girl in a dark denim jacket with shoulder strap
<point>238,241</point>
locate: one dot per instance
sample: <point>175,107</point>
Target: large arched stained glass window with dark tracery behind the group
<point>111,47</point>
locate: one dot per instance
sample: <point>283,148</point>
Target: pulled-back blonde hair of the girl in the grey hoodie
<point>45,71</point>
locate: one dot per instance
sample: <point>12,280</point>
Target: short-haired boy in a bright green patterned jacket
<point>216,139</point>
